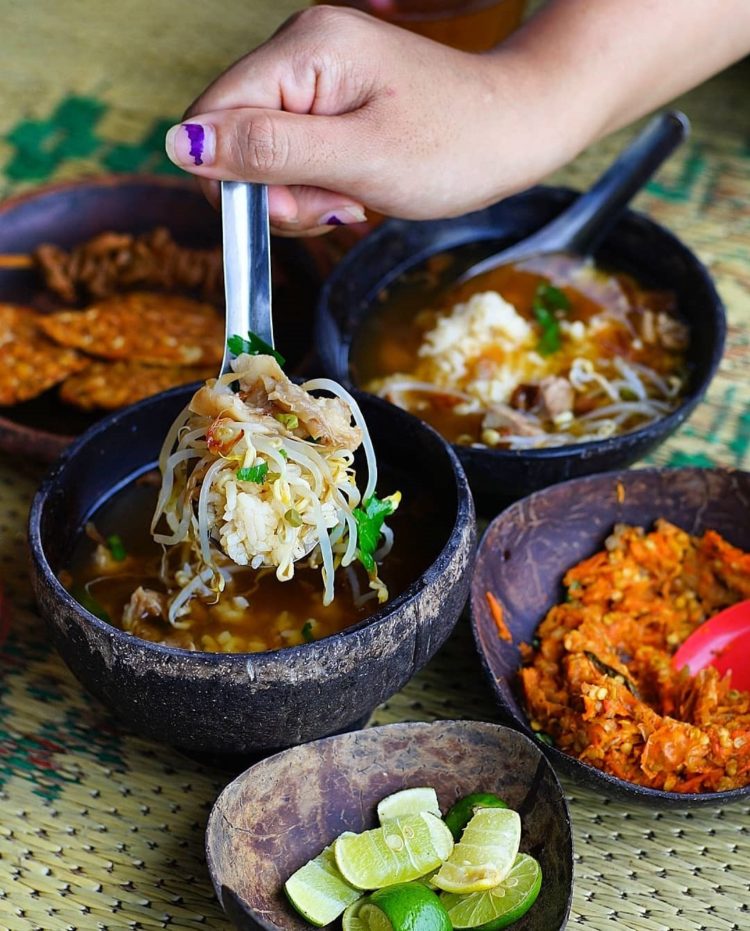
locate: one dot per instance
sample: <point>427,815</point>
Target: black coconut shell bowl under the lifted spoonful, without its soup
<point>251,702</point>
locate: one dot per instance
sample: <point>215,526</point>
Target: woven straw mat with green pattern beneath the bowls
<point>102,830</point>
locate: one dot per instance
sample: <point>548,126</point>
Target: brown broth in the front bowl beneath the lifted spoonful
<point>256,611</point>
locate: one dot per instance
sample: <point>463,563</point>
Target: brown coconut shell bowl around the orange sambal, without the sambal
<point>527,550</point>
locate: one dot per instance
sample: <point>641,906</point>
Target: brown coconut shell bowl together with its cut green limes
<point>455,824</point>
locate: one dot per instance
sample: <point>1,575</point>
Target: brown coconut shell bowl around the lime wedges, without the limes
<point>284,810</point>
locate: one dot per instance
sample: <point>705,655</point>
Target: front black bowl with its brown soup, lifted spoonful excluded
<point>236,680</point>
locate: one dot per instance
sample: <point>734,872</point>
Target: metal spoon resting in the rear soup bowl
<point>580,228</point>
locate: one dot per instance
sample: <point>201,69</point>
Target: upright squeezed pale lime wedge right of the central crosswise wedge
<point>485,853</point>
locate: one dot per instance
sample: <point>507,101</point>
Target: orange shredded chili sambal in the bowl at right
<point>599,678</point>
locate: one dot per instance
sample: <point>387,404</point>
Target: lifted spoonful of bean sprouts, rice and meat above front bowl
<point>263,476</point>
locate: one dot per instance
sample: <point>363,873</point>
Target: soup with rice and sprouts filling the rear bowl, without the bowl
<point>548,352</point>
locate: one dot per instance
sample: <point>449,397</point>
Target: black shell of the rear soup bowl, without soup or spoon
<point>653,255</point>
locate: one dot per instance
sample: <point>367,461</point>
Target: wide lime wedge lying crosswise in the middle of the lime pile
<point>403,849</point>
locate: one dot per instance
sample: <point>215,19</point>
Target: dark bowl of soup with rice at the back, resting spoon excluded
<point>538,372</point>
